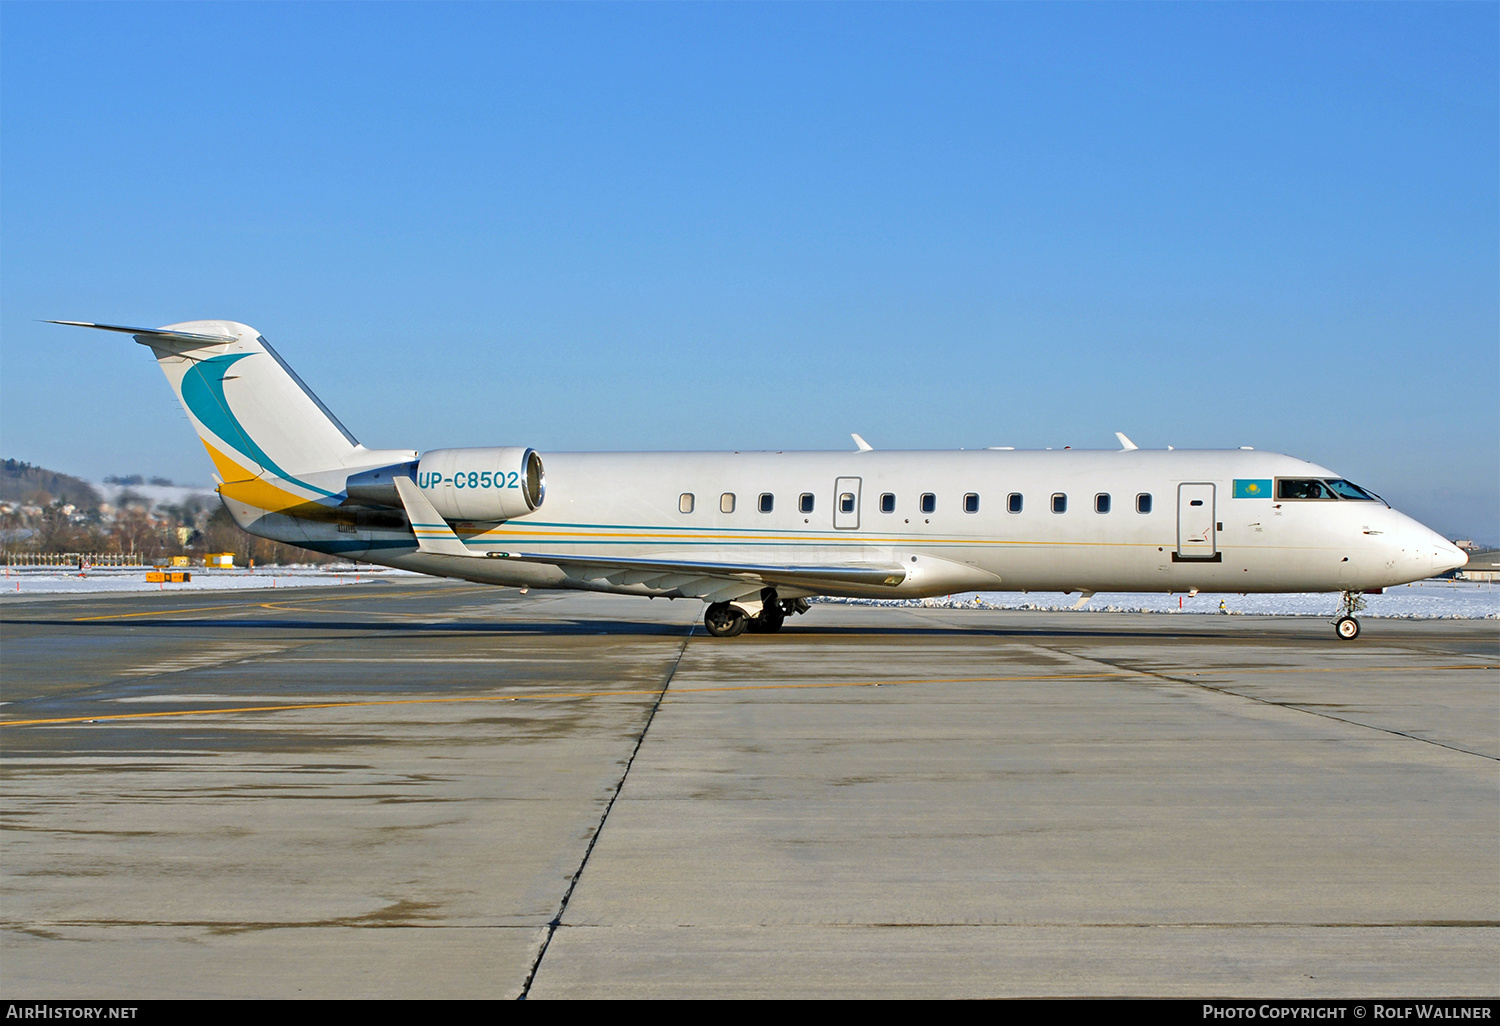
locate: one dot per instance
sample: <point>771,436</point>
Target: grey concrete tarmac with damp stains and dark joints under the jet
<point>431,790</point>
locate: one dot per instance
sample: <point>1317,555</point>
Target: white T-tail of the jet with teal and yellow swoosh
<point>253,413</point>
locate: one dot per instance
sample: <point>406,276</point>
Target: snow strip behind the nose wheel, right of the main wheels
<point>1421,601</point>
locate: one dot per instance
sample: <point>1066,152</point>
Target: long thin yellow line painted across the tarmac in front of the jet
<point>679,691</point>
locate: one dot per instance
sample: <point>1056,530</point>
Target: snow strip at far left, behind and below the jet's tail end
<point>55,581</point>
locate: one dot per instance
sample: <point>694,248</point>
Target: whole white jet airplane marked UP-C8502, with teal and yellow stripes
<point>757,535</point>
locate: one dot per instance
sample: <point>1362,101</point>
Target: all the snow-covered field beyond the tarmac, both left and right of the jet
<point>1423,601</point>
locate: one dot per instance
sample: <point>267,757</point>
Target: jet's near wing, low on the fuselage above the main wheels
<point>715,581</point>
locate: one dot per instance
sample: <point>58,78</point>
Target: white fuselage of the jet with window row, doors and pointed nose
<point>995,521</point>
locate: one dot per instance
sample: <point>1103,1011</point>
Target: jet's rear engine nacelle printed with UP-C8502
<point>482,484</point>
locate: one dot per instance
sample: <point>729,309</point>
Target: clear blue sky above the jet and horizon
<point>769,226</point>
